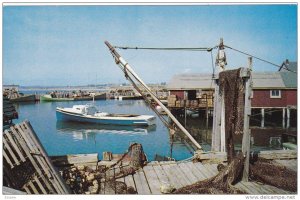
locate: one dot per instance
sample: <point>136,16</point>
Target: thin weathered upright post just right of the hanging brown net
<point>247,131</point>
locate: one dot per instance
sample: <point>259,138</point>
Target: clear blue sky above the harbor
<point>64,45</point>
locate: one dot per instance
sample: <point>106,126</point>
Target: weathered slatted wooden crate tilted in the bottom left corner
<point>22,148</point>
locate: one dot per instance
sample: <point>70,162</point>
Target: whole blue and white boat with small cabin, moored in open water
<point>90,114</point>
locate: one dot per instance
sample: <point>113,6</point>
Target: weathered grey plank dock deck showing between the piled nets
<point>149,179</point>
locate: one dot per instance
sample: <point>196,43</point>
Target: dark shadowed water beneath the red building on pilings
<point>270,137</point>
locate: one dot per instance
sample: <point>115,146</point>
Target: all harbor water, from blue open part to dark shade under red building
<point>60,138</point>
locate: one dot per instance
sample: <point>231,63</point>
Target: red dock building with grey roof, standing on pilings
<point>274,96</point>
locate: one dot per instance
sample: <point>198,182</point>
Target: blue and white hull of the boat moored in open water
<point>67,116</point>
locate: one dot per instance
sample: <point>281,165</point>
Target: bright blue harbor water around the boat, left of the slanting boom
<point>61,138</point>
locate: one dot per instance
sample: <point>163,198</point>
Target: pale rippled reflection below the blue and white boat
<point>82,131</point>
